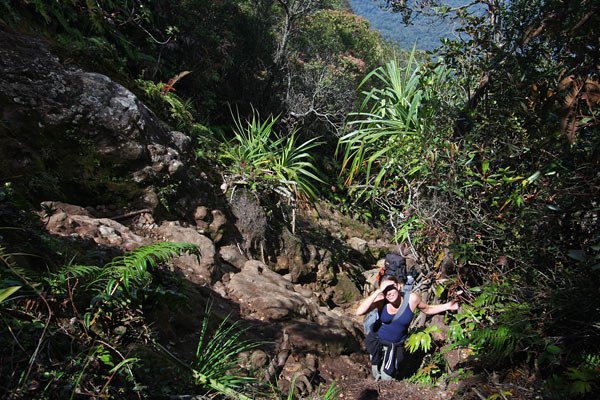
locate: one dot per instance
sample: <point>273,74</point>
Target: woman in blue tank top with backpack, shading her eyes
<point>385,341</point>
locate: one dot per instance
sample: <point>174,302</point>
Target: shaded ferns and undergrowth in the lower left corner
<point>80,328</point>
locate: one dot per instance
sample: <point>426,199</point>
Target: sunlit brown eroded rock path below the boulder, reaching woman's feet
<point>303,339</point>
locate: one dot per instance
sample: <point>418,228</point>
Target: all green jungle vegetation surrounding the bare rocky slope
<point>486,151</point>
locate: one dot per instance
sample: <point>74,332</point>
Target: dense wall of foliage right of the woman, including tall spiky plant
<point>502,174</point>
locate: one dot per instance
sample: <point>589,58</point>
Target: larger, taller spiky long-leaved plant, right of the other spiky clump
<point>392,136</point>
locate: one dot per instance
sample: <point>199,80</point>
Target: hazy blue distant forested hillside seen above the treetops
<point>425,32</point>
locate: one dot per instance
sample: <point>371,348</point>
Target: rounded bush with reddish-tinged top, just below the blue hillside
<point>327,58</point>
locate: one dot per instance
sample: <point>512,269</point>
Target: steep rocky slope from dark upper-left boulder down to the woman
<point>94,160</point>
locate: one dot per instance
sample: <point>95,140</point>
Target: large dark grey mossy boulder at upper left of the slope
<point>78,135</point>
